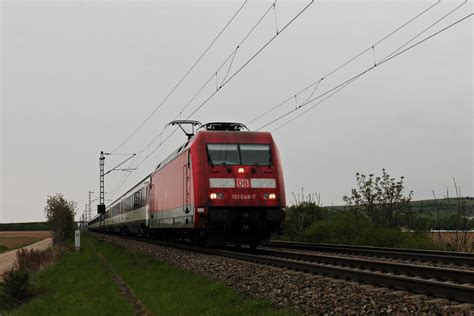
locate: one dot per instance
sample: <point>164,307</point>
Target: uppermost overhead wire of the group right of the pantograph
<point>350,60</point>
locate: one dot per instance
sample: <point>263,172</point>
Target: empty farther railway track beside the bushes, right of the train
<point>457,258</point>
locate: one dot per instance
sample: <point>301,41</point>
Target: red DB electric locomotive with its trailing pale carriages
<point>223,185</point>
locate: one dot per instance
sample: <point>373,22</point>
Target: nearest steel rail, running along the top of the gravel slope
<point>449,290</point>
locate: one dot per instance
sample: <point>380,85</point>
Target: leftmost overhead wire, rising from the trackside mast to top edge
<point>182,79</point>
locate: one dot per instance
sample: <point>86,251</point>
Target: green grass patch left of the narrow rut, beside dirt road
<point>77,285</point>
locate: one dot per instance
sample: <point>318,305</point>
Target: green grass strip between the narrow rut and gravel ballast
<point>166,290</point>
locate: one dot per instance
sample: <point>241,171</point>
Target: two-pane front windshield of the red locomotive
<point>239,154</point>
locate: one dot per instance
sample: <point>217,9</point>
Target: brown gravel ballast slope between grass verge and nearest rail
<point>310,294</point>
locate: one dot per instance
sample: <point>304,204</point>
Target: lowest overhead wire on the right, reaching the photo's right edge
<point>341,86</point>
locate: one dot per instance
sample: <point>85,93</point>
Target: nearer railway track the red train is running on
<point>453,284</point>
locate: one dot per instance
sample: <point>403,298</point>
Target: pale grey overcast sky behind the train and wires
<point>78,77</point>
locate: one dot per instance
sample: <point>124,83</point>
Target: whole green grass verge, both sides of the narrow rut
<point>78,284</point>
